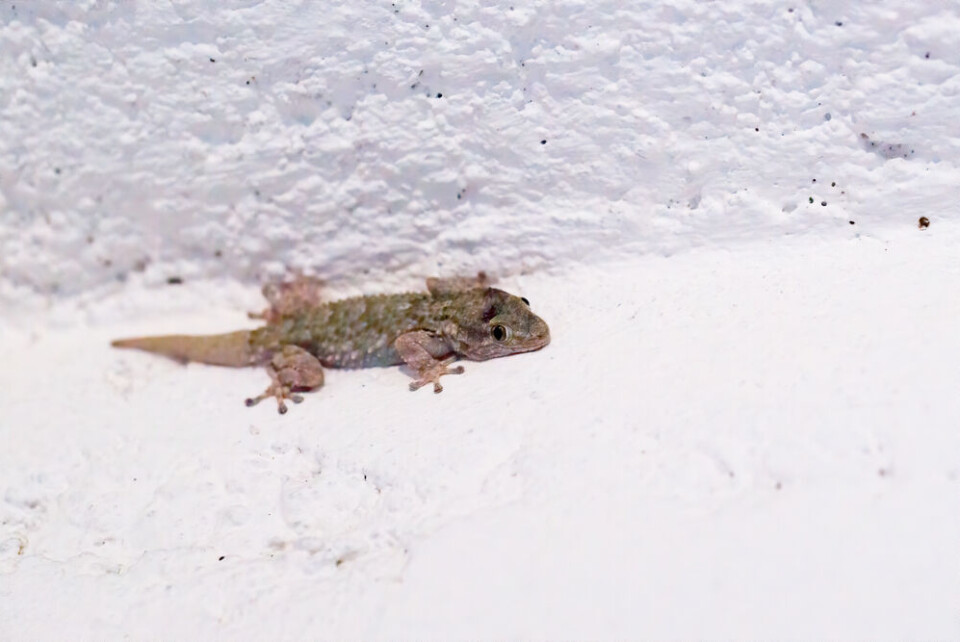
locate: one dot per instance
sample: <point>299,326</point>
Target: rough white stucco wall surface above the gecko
<point>363,140</point>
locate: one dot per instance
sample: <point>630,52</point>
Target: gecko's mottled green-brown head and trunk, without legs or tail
<point>360,332</point>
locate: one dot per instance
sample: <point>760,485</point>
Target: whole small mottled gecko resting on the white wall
<point>459,317</point>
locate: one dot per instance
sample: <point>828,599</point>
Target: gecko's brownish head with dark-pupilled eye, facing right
<point>505,325</point>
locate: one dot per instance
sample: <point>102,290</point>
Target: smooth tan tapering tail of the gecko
<point>231,349</point>
